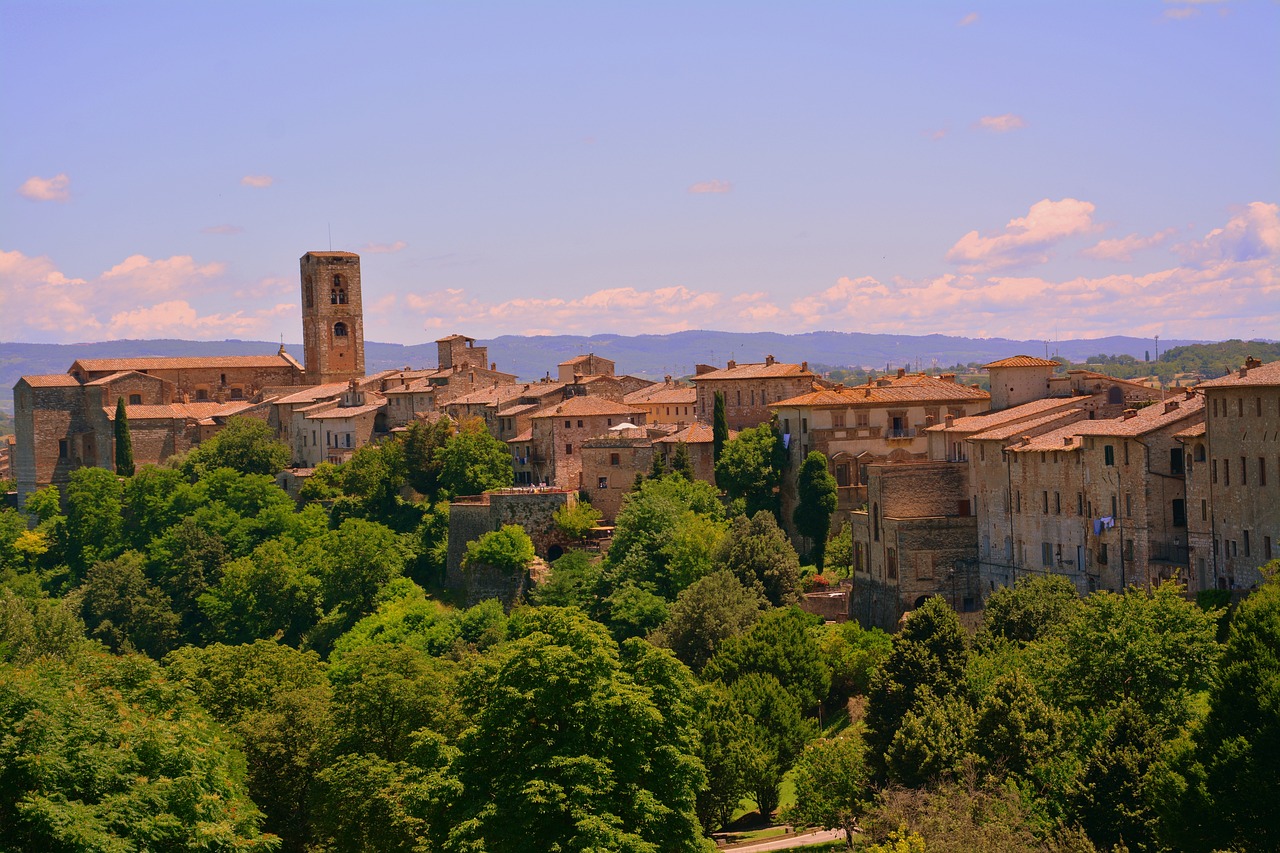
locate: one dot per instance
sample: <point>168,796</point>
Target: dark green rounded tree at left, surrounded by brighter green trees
<point>127,612</point>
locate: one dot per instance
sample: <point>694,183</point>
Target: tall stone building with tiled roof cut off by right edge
<point>1233,478</point>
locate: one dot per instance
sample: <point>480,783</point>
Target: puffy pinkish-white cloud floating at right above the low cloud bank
<point>1027,240</point>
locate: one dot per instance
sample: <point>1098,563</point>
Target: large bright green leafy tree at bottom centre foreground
<point>575,749</point>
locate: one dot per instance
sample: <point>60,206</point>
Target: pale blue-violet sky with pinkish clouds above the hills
<point>1037,171</point>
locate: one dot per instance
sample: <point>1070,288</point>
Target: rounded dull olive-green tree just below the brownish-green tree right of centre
<point>707,614</point>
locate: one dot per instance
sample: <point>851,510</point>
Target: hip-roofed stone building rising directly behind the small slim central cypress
<point>752,391</point>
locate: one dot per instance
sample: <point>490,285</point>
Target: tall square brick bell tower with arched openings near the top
<point>333,323</point>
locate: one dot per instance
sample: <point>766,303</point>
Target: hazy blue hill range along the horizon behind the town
<point>647,355</point>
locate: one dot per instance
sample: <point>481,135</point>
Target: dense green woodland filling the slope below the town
<point>191,659</point>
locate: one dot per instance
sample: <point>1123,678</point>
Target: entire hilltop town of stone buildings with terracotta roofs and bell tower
<point>944,489</point>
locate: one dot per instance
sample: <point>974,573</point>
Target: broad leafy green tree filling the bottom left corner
<point>113,758</point>
